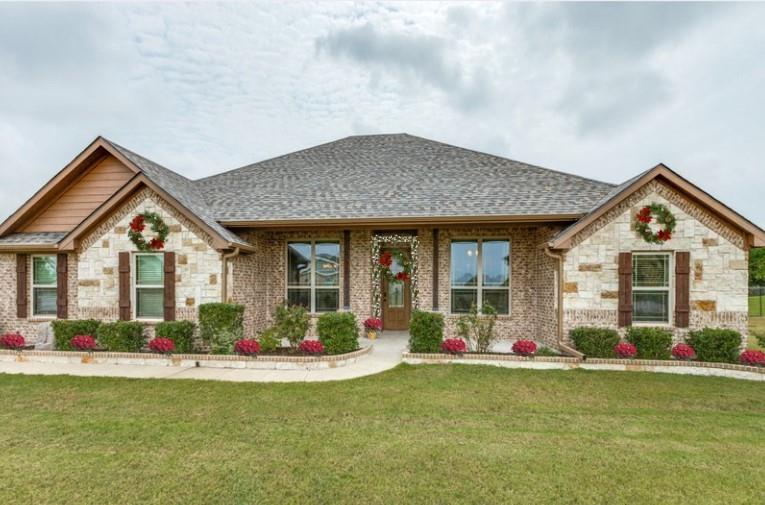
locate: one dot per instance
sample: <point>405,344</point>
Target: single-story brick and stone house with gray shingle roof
<point>548,250</point>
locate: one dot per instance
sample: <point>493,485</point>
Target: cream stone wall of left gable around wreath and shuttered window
<point>198,265</point>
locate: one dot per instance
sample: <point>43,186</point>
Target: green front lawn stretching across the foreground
<point>427,434</point>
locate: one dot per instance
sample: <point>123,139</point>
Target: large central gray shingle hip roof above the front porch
<point>389,176</point>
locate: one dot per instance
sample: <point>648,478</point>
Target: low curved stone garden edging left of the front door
<point>187,360</point>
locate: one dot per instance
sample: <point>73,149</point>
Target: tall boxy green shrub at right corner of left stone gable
<point>221,325</point>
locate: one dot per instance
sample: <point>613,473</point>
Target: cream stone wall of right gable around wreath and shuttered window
<point>719,264</point>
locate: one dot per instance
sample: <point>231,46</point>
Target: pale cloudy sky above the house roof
<point>601,90</point>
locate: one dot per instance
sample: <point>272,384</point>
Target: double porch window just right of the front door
<point>480,275</point>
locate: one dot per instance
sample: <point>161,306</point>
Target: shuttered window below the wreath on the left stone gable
<point>149,286</point>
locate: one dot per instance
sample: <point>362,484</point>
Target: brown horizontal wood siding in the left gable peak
<point>82,197</point>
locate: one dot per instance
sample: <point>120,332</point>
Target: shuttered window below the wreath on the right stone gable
<point>651,293</point>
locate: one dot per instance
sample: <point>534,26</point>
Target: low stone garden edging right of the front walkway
<point>570,363</point>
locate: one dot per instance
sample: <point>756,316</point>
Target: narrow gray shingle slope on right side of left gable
<point>180,188</point>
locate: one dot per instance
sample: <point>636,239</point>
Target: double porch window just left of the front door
<point>313,275</point>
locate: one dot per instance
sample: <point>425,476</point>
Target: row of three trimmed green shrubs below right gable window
<point>710,344</point>
